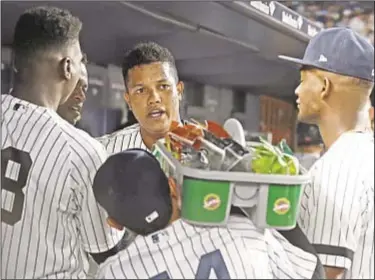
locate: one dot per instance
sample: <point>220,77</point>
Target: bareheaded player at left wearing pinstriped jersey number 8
<point>49,214</point>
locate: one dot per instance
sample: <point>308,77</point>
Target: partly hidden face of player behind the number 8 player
<point>72,108</point>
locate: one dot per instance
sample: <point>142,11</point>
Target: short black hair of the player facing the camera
<point>146,53</point>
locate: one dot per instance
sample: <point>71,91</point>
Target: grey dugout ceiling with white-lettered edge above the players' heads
<point>220,43</point>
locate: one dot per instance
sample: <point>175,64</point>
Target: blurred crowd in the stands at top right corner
<point>357,15</point>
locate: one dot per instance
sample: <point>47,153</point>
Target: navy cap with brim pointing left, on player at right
<point>341,51</point>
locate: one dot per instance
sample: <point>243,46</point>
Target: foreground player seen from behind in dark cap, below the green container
<point>169,248</point>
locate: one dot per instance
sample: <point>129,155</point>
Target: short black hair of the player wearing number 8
<point>43,28</point>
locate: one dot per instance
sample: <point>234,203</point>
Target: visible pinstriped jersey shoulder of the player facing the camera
<point>121,140</point>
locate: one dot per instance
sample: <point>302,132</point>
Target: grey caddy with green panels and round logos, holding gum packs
<point>207,196</point>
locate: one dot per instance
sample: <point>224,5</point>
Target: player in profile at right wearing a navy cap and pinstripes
<point>337,77</point>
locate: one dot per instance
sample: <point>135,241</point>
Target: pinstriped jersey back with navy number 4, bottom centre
<point>183,251</point>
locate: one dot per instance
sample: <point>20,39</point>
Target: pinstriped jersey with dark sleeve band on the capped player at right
<point>337,211</point>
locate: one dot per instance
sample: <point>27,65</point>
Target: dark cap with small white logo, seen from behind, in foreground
<point>134,190</point>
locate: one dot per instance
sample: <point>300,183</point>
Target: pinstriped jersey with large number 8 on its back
<point>49,212</point>
